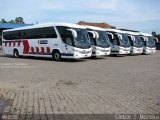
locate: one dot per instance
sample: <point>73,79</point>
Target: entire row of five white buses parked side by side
<point>65,40</point>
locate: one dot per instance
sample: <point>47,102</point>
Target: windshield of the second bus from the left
<point>103,40</point>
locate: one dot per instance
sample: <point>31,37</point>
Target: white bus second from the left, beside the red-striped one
<point>99,40</point>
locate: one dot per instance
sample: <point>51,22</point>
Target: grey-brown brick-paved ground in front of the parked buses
<point>36,86</point>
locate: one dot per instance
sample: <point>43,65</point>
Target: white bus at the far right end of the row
<point>149,43</point>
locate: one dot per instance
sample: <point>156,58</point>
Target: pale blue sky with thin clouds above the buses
<point>143,15</point>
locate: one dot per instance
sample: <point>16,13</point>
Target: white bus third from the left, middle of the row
<point>119,40</point>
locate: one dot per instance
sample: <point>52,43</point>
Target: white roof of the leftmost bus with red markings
<point>47,25</point>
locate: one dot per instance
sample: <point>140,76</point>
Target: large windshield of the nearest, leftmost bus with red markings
<point>82,40</point>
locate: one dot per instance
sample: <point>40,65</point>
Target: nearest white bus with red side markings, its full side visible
<point>55,40</point>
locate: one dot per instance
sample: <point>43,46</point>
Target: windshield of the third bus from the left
<point>124,41</point>
